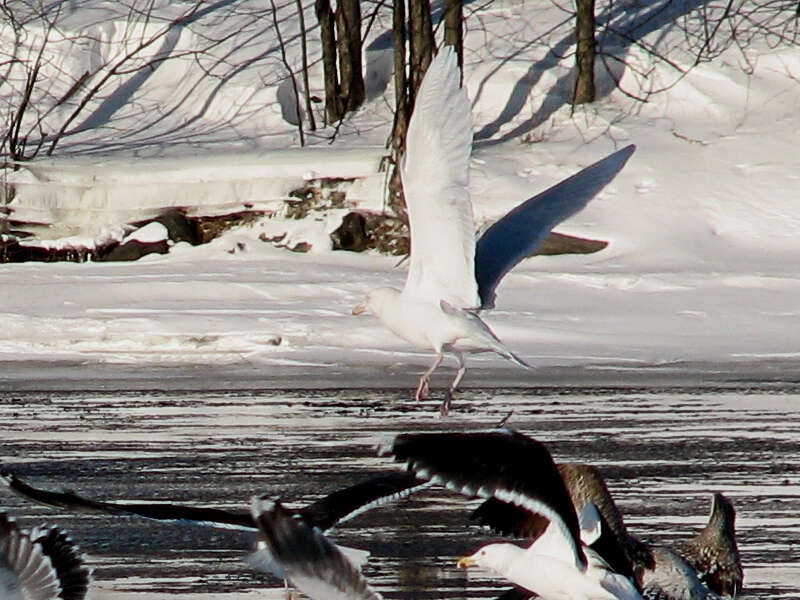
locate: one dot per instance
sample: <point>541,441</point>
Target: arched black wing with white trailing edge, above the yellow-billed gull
<point>503,464</point>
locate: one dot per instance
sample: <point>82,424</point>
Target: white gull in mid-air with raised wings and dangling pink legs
<point>450,278</point>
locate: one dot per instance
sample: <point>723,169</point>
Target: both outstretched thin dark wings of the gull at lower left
<point>324,513</point>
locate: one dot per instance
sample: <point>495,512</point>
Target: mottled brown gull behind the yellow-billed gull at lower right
<point>661,572</point>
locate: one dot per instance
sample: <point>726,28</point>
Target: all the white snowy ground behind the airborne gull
<point>703,223</point>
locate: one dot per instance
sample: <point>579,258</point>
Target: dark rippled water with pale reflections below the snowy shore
<point>662,451</point>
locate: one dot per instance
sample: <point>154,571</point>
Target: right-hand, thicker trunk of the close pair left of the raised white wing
<point>348,29</point>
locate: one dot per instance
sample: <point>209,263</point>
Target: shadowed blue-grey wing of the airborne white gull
<point>522,230</point>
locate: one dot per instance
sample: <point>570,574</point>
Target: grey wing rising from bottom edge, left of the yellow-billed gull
<point>312,563</point>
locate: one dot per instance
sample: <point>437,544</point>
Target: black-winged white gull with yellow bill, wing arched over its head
<point>513,468</point>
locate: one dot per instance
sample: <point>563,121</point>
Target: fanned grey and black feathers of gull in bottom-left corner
<point>40,564</point>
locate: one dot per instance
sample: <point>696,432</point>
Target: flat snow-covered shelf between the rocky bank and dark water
<point>208,306</point>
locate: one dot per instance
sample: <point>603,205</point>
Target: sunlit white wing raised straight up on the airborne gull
<point>435,174</point>
